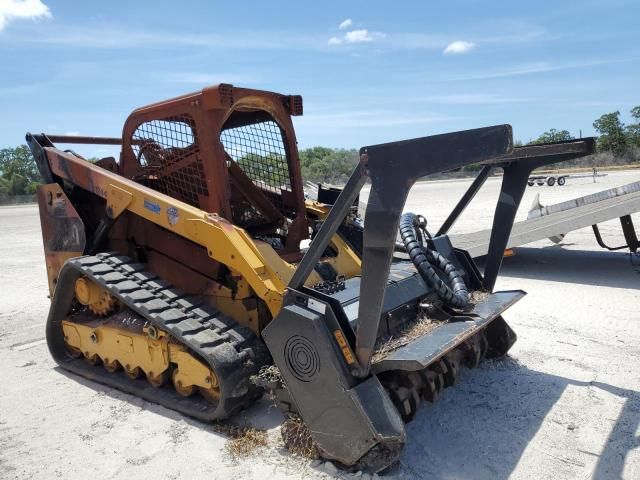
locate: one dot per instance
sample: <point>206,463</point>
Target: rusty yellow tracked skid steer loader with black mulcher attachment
<point>180,271</point>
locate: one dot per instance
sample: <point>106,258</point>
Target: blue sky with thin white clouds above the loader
<point>369,72</point>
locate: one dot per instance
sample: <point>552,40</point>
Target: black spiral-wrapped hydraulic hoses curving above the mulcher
<point>455,294</point>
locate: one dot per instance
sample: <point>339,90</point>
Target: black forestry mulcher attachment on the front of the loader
<point>357,359</point>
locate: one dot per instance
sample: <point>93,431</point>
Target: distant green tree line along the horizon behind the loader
<point>619,143</point>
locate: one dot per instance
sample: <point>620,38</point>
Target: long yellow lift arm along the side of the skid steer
<point>225,243</point>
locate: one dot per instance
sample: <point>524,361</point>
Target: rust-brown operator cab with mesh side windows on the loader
<point>225,150</point>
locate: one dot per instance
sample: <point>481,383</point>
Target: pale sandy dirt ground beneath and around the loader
<point>564,404</point>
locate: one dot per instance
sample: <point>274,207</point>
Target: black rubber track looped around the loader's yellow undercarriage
<point>232,351</point>
